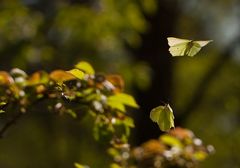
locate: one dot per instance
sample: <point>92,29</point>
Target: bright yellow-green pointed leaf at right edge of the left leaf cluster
<point>119,101</point>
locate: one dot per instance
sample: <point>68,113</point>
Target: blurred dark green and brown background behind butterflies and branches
<point>127,38</point>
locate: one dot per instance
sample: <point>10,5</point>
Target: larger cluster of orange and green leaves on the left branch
<point>76,92</point>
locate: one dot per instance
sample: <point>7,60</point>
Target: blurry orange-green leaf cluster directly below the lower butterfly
<point>178,148</point>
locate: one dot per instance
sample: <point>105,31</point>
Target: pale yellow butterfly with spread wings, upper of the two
<point>185,47</point>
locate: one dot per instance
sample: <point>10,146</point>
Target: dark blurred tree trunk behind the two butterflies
<point>154,51</point>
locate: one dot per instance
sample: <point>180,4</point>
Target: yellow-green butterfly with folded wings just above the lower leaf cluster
<point>163,116</point>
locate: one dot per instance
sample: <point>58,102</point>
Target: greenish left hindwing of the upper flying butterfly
<point>179,49</point>
